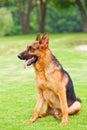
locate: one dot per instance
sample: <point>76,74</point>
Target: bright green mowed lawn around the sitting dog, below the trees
<point>17,91</point>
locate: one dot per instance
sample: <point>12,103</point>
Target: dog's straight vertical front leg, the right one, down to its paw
<point>63,102</point>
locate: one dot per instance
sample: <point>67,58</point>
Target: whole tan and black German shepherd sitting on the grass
<point>54,84</point>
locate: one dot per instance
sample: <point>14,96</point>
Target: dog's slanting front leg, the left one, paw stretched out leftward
<point>37,109</point>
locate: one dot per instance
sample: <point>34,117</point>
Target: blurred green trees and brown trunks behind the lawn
<point>31,16</point>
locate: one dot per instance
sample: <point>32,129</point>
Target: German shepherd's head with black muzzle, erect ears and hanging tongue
<point>34,51</point>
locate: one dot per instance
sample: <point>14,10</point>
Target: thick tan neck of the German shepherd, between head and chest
<point>46,63</point>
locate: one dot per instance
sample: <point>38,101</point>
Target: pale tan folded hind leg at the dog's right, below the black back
<point>74,108</point>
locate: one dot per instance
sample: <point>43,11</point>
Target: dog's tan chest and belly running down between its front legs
<point>46,84</point>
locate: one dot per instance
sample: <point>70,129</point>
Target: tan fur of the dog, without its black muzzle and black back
<point>51,84</point>
